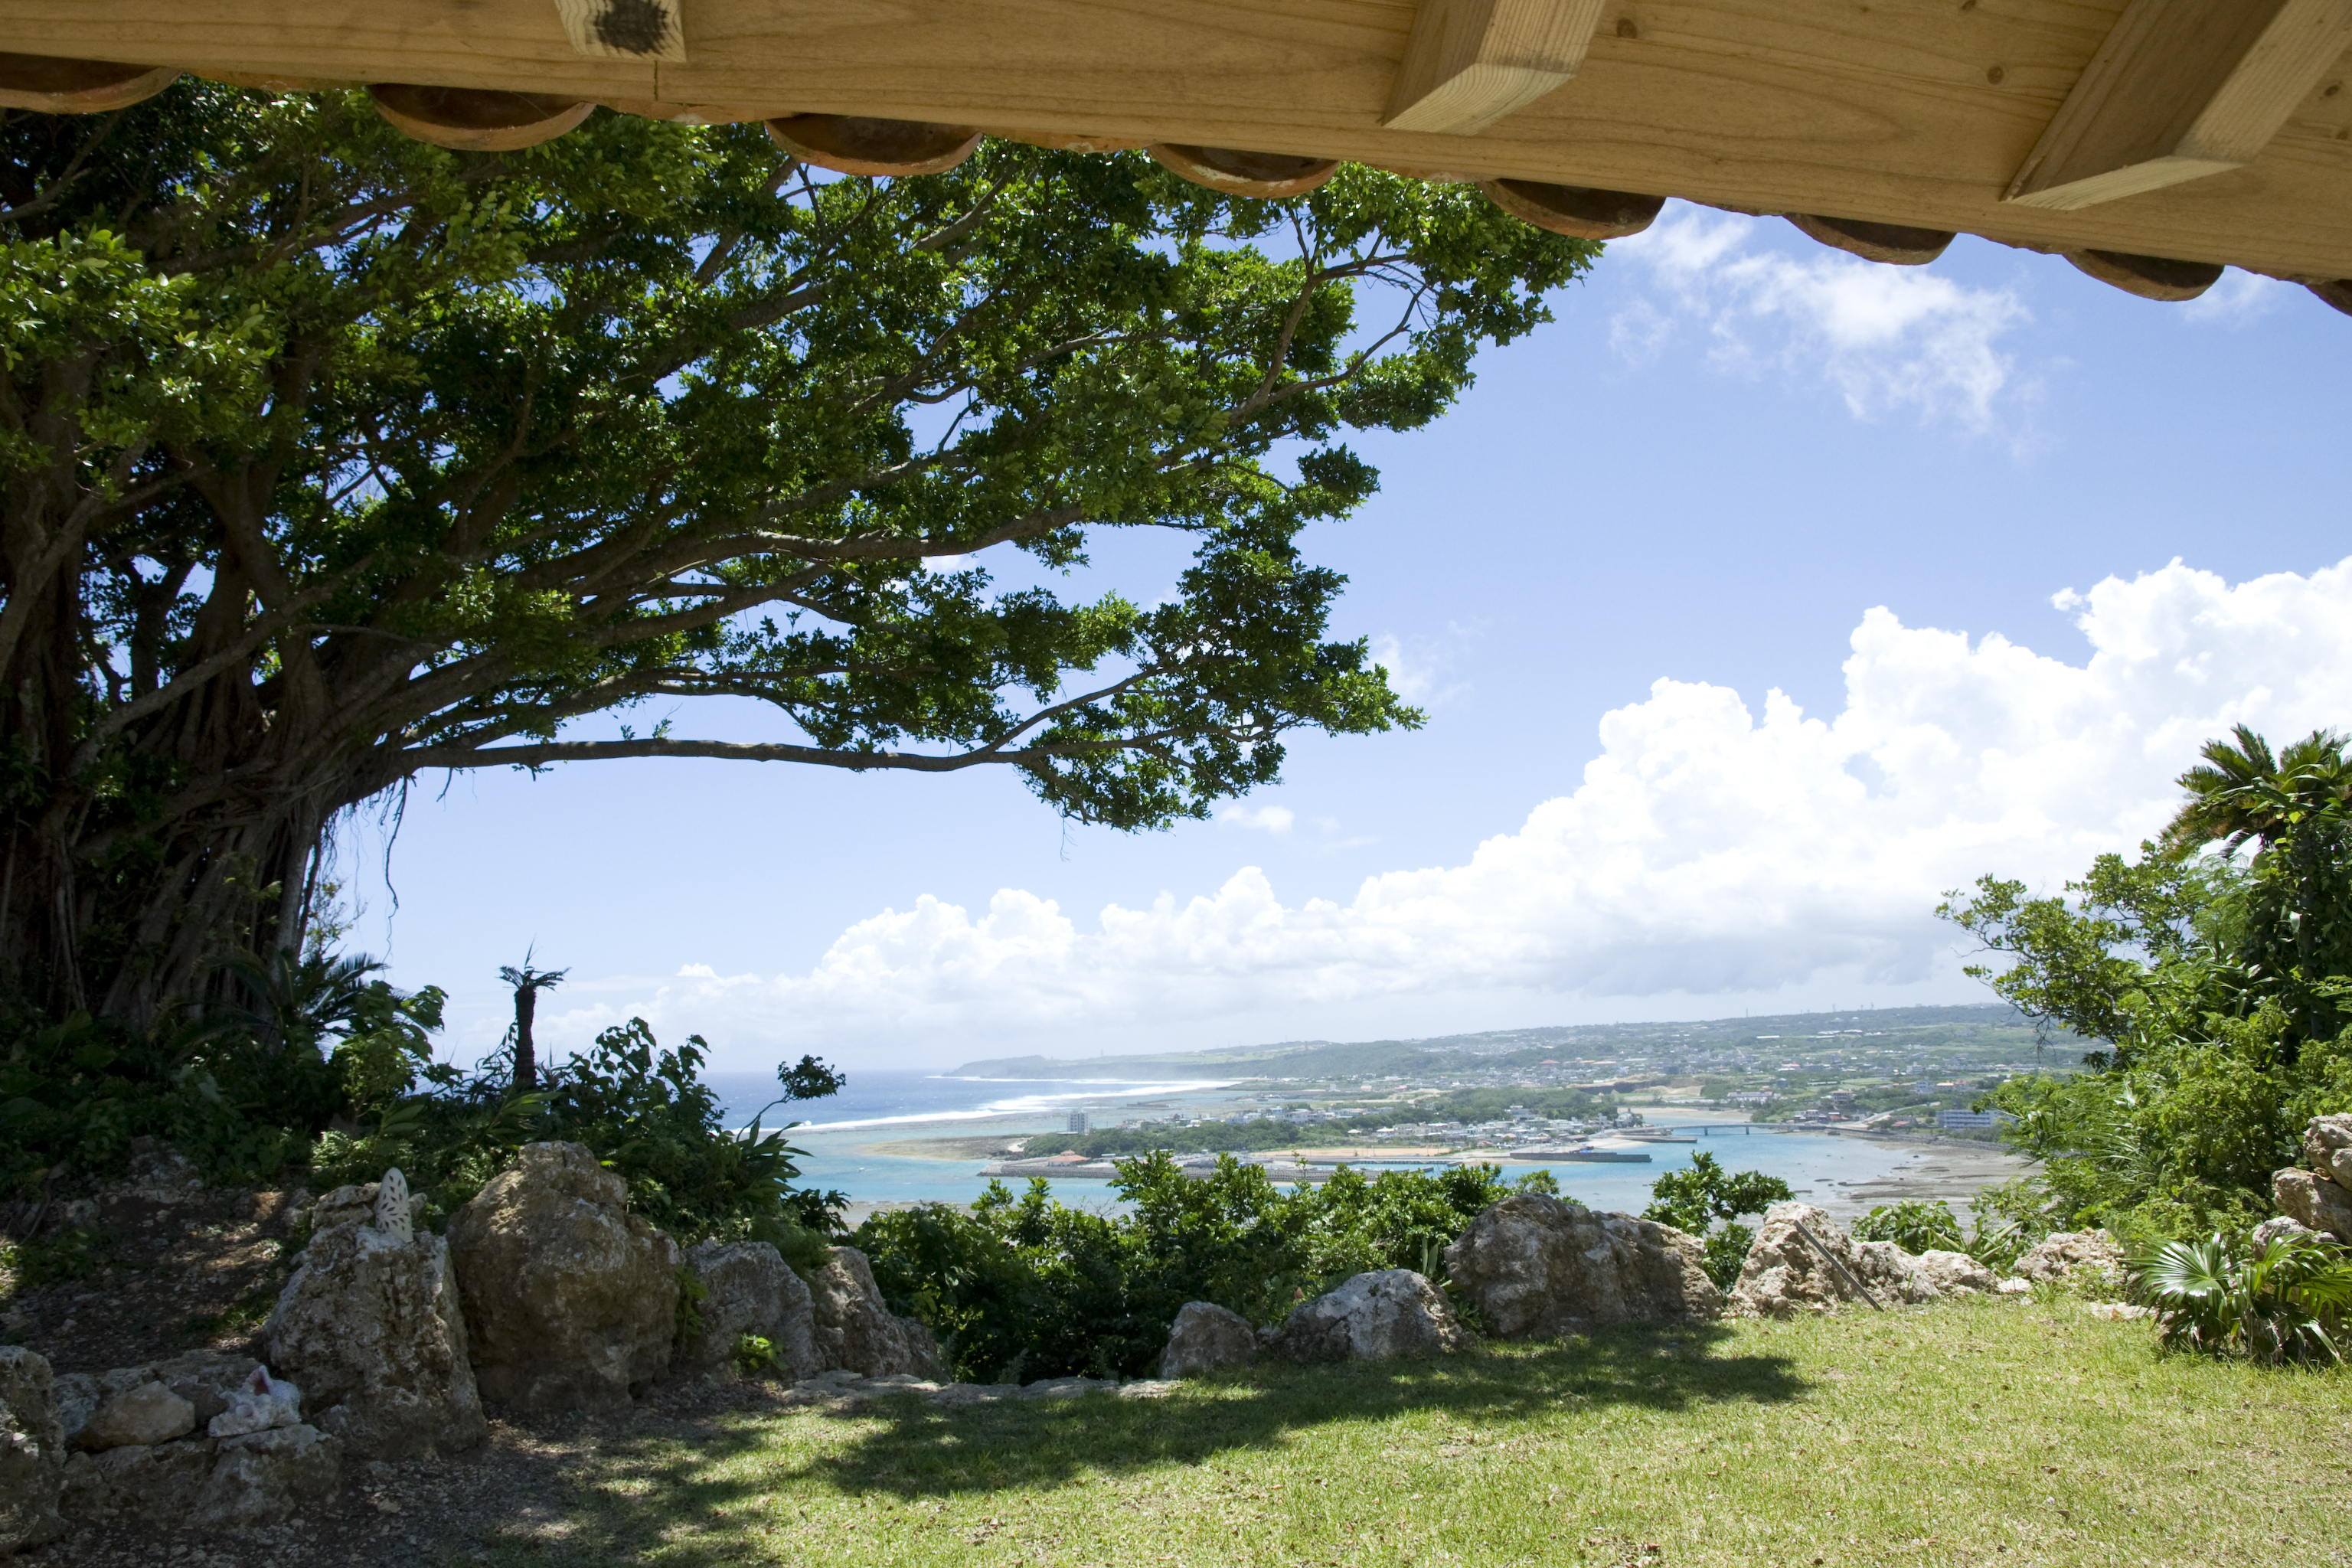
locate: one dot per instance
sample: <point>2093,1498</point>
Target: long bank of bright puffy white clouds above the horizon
<point>1716,845</point>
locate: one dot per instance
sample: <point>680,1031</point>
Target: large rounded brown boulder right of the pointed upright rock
<point>570,1301</point>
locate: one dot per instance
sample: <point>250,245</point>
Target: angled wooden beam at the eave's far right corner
<point>2181,91</point>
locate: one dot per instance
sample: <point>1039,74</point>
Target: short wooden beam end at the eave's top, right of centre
<point>1471,62</point>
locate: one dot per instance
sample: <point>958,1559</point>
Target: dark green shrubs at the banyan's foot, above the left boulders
<point>323,1073</point>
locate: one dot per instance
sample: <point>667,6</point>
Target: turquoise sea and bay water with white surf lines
<point>843,1134</point>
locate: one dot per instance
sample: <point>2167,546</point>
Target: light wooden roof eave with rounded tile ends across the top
<point>2193,133</point>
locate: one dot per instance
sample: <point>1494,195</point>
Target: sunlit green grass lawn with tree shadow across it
<point>1965,1433</point>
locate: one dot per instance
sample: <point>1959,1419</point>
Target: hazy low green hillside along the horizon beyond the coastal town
<point>1591,1043</point>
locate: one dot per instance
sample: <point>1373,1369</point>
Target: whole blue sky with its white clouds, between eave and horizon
<point>1739,464</point>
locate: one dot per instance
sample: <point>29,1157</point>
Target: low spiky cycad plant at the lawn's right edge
<point>2280,1301</point>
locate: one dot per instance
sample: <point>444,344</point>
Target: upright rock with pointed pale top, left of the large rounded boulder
<point>373,1329</point>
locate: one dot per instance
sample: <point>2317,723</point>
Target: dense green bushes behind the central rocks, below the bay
<point>1027,1287</point>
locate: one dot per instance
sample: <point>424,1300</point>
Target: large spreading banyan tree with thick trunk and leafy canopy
<point>333,457</point>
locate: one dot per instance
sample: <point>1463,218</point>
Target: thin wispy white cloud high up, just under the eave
<point>1887,337</point>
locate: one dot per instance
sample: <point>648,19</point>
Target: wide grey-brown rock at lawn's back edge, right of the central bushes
<point>1542,1268</point>
